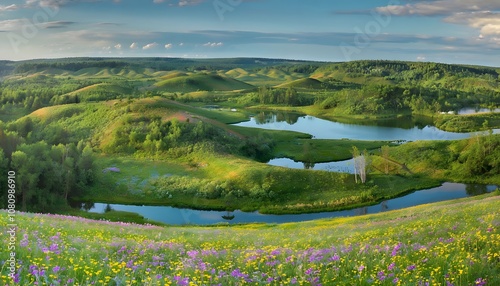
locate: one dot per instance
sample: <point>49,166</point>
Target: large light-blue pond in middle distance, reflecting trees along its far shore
<point>407,129</point>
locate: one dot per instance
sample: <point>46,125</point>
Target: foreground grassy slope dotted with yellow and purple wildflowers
<point>448,243</point>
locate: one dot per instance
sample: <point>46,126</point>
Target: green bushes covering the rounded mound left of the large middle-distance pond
<point>150,136</point>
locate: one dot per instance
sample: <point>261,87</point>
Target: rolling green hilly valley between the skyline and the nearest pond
<point>179,133</point>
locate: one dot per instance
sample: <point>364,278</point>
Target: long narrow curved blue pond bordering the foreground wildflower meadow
<point>178,216</point>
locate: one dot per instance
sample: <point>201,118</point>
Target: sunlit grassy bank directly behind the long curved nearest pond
<point>209,181</point>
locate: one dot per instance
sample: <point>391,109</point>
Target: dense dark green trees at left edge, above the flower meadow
<point>47,176</point>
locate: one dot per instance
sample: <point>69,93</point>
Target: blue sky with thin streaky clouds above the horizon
<point>448,31</point>
